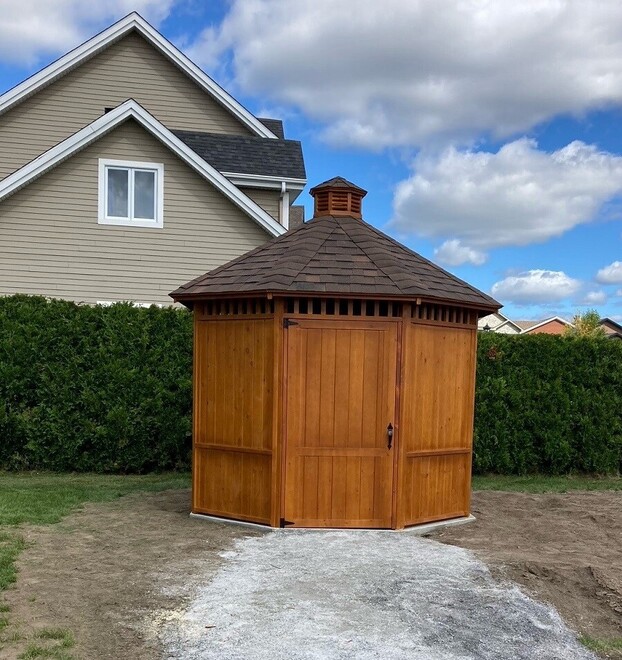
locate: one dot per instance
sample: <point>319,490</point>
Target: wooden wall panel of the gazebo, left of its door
<point>234,409</point>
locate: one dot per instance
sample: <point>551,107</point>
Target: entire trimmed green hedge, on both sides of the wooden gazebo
<point>108,389</point>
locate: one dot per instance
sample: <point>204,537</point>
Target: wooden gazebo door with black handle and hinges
<point>340,399</point>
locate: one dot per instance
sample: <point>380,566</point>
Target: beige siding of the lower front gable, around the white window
<point>52,244</point>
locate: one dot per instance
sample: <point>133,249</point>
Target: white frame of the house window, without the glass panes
<point>104,219</point>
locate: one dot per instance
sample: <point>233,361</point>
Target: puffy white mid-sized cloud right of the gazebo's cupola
<point>517,196</point>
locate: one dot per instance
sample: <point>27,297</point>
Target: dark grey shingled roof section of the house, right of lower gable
<point>240,154</point>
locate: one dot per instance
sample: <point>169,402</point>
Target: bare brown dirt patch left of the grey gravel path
<point>114,573</point>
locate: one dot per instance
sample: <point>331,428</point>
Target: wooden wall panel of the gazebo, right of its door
<point>436,428</point>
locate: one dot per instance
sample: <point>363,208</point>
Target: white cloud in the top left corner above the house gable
<point>30,29</point>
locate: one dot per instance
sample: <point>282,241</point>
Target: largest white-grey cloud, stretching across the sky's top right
<point>403,72</point>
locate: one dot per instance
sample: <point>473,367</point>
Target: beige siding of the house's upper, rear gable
<point>129,68</point>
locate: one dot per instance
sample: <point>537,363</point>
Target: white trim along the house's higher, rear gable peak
<point>131,22</point>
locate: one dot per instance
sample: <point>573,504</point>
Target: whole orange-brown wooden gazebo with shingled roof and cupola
<point>334,374</point>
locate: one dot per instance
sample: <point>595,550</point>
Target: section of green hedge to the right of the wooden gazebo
<point>548,404</point>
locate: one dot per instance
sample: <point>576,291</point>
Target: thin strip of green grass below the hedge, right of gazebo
<point>542,484</point>
